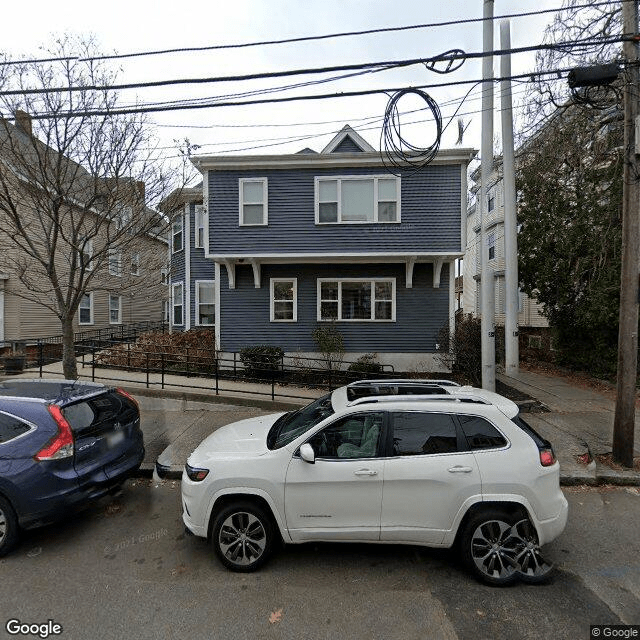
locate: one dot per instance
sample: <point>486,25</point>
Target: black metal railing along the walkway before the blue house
<point>163,368</point>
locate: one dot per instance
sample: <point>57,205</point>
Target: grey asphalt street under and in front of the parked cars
<point>125,569</point>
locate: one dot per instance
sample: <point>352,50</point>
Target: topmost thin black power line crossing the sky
<point>303,38</point>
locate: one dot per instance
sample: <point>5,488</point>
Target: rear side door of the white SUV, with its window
<point>427,480</point>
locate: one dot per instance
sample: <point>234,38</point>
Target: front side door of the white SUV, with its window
<point>340,495</point>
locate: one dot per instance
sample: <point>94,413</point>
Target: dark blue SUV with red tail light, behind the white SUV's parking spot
<point>62,444</point>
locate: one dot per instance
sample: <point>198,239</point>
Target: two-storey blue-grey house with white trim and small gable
<point>273,246</point>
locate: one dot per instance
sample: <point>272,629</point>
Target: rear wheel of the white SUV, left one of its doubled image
<point>489,549</point>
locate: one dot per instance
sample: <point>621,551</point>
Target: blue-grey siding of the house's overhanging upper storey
<point>430,214</point>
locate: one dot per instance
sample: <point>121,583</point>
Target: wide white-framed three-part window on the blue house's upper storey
<point>357,199</point>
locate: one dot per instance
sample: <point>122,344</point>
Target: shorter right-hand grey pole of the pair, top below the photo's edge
<point>511,346</point>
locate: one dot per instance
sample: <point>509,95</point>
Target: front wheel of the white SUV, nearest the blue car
<point>243,536</point>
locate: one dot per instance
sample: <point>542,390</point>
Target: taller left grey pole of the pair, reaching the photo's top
<point>487,324</point>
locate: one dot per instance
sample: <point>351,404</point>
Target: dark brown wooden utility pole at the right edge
<point>624,422</point>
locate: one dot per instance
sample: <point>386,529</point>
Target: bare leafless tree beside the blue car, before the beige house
<point>76,190</point>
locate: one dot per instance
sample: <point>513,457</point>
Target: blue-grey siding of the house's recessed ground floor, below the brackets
<point>420,312</point>
